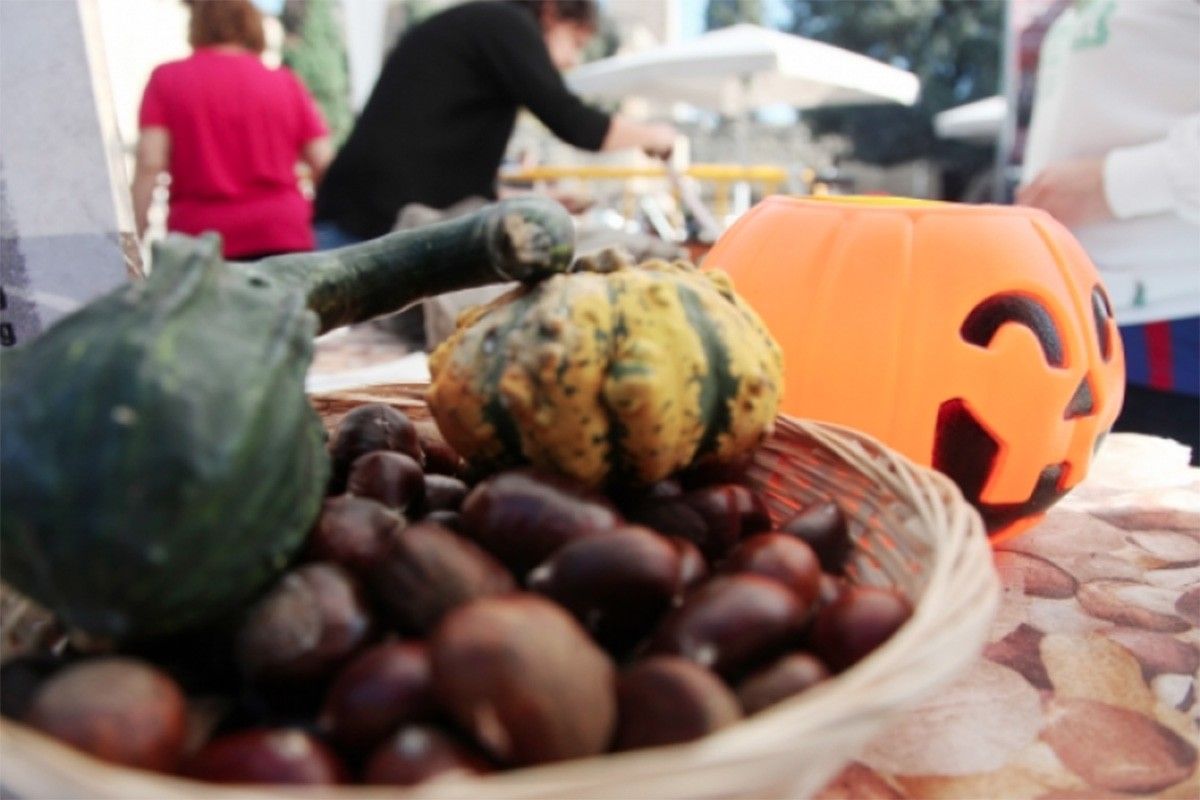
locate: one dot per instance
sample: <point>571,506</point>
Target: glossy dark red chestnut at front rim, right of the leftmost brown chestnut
<point>267,756</point>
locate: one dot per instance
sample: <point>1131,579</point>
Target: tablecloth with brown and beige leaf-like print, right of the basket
<point>1088,688</point>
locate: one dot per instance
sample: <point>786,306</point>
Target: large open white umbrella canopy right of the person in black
<point>747,67</point>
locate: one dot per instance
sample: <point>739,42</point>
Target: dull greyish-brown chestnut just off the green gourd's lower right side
<point>305,627</point>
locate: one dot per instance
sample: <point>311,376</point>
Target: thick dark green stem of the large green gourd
<point>524,239</point>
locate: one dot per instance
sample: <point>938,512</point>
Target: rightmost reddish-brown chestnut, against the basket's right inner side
<point>857,622</point>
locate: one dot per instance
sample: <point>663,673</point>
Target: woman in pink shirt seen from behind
<point>231,131</point>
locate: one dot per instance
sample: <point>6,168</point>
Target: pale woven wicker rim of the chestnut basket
<point>945,634</point>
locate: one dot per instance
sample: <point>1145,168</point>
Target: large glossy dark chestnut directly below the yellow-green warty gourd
<point>524,516</point>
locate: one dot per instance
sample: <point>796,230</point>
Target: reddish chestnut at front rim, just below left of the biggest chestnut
<point>418,754</point>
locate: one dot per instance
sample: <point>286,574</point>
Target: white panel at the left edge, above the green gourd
<point>64,203</point>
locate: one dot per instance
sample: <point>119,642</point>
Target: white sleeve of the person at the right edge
<point>1159,177</point>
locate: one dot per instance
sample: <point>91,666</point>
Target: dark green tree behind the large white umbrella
<point>953,46</point>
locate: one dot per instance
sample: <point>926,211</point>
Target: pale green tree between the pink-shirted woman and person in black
<point>315,49</point>
